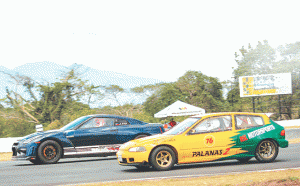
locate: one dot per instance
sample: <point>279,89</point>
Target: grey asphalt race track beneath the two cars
<point>89,170</point>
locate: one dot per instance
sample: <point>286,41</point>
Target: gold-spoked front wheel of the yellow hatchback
<point>162,158</point>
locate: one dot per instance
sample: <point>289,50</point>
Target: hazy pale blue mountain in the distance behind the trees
<point>51,72</point>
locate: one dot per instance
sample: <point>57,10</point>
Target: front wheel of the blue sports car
<point>49,152</point>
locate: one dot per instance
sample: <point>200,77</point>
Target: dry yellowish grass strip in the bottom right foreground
<point>283,177</point>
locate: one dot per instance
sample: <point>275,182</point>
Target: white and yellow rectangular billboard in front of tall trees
<point>262,85</point>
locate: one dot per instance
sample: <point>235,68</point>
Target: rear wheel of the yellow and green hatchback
<point>266,151</point>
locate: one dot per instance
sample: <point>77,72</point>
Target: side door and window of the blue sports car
<point>97,131</point>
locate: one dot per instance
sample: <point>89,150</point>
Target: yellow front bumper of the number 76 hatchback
<point>132,158</point>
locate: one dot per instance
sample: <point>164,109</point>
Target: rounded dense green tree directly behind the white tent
<point>194,88</point>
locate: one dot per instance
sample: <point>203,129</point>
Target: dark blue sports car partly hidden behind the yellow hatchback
<point>93,135</point>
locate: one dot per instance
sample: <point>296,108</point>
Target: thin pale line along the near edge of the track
<point>189,176</point>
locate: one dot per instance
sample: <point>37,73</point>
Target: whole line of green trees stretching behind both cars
<point>56,104</point>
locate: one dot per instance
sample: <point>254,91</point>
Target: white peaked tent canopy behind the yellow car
<point>179,108</point>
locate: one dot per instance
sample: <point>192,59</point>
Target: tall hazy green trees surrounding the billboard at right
<point>263,60</point>
